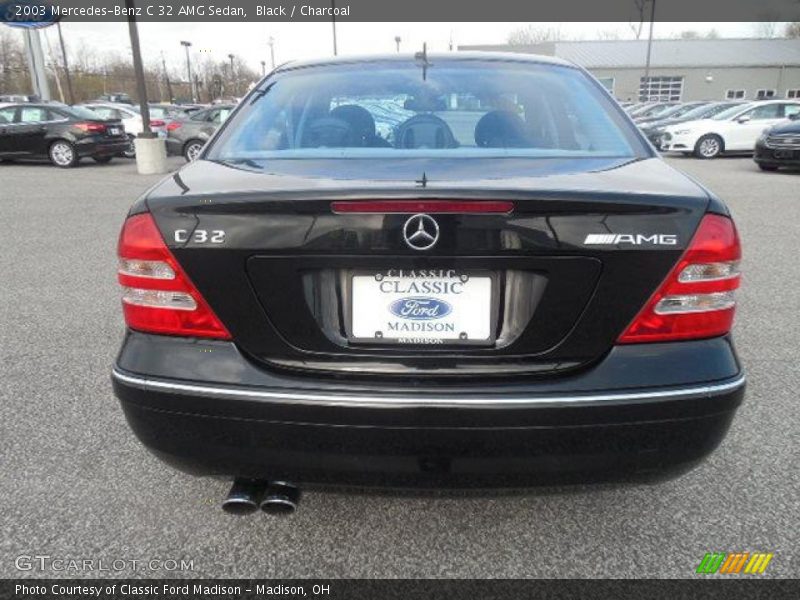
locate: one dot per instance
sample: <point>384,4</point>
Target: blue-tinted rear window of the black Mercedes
<point>452,108</point>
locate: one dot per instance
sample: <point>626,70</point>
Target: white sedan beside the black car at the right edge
<point>732,130</point>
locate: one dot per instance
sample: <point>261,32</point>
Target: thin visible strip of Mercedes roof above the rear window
<point>433,58</point>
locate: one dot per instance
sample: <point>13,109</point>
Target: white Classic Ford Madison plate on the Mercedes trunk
<point>424,307</point>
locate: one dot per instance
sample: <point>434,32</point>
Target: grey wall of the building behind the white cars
<point>695,86</point>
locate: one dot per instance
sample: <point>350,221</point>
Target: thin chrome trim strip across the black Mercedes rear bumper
<point>364,401</point>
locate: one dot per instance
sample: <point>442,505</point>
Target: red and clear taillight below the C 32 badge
<point>157,295</point>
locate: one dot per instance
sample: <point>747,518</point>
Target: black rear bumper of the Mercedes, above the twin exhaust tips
<point>312,431</point>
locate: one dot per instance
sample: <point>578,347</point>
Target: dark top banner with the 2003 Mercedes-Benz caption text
<point>43,12</point>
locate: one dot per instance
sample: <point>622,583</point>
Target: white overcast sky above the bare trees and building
<point>313,40</point>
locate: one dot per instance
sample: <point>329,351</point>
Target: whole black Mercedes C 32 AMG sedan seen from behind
<point>427,271</point>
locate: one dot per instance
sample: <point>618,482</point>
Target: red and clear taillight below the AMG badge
<point>696,300</point>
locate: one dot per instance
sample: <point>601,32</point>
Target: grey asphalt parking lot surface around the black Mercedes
<point>77,485</point>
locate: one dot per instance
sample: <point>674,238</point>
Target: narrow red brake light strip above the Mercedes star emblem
<point>422,206</point>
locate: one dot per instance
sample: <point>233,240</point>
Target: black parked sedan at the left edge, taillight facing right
<point>61,133</point>
